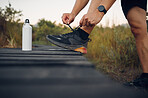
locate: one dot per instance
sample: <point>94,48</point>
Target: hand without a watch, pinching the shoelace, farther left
<point>68,18</point>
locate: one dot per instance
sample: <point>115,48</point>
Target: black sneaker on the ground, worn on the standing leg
<point>139,82</point>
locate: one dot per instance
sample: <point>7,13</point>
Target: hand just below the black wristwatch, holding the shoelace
<point>91,19</point>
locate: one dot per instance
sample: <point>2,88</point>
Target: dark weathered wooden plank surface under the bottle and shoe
<point>53,72</point>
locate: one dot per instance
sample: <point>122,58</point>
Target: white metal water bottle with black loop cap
<point>26,36</point>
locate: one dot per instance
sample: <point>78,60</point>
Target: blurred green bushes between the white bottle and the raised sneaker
<point>45,27</point>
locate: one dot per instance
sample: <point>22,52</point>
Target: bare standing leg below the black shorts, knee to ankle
<point>137,20</point>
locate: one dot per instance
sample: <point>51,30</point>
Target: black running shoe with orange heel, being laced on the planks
<point>70,41</point>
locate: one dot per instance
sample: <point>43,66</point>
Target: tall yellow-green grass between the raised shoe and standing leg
<point>113,51</point>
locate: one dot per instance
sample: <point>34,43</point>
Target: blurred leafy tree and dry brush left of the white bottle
<point>10,28</point>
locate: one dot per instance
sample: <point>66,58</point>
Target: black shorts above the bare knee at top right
<point>128,4</point>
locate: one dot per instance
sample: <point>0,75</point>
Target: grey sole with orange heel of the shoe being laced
<point>70,47</point>
